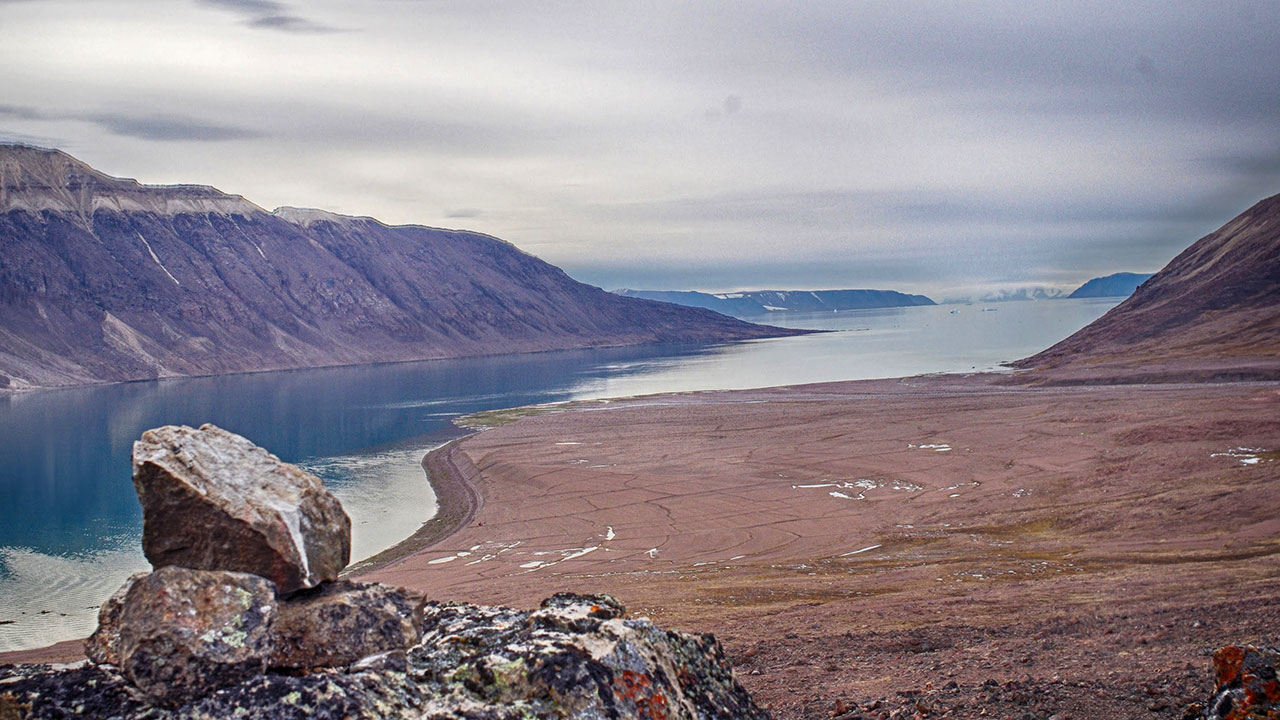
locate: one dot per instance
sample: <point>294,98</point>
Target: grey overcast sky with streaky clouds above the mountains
<point>935,148</point>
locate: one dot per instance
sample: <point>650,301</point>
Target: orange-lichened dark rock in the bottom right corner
<point>1247,687</point>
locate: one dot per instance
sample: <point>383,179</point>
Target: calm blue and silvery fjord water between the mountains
<point>71,526</point>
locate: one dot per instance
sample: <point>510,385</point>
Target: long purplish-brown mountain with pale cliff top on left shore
<point>107,280</point>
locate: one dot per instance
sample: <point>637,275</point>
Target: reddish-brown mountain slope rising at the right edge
<point>1213,313</point>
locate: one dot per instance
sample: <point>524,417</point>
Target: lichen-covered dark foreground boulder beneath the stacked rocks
<point>578,657</point>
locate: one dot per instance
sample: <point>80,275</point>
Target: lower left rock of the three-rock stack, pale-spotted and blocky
<point>185,634</point>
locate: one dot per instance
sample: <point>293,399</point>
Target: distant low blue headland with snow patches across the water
<point>761,302</point>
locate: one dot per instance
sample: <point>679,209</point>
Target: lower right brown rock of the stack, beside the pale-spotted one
<point>341,623</point>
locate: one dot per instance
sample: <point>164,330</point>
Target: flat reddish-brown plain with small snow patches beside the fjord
<point>890,543</point>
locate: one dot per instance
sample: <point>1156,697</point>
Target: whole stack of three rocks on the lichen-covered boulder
<point>246,552</point>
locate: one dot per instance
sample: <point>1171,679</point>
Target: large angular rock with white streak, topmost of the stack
<point>213,500</point>
